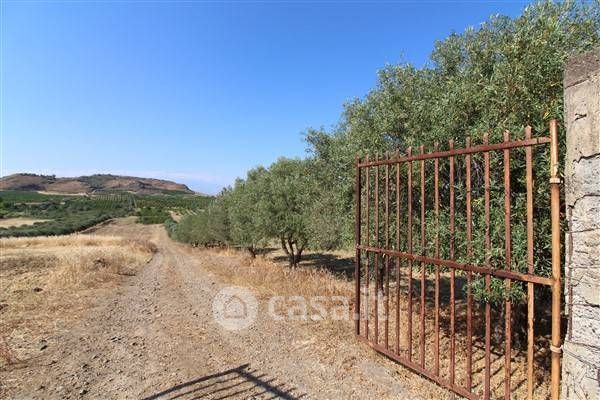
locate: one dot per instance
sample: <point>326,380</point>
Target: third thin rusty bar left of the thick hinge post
<point>488,249</point>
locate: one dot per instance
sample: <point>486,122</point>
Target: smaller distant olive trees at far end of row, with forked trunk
<point>272,203</point>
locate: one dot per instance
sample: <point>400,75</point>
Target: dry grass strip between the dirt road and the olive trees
<point>269,277</point>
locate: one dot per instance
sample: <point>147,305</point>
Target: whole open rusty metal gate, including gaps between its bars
<point>448,307</point>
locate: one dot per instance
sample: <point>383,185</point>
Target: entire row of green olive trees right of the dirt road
<point>502,75</point>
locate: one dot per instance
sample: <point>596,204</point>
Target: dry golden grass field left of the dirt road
<point>45,281</point>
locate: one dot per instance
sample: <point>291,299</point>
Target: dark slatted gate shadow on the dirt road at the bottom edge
<point>237,383</point>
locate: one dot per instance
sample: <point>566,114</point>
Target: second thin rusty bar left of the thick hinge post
<point>507,260</point>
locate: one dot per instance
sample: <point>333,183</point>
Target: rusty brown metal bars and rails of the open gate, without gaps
<point>530,278</point>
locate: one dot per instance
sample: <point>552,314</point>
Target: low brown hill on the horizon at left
<point>104,183</point>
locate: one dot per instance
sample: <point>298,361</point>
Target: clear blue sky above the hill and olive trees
<point>196,92</point>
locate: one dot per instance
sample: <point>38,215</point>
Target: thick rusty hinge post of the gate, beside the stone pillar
<point>555,215</point>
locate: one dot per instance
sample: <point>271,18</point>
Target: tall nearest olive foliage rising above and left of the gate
<point>505,74</point>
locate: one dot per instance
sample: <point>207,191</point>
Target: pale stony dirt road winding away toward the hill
<point>154,337</point>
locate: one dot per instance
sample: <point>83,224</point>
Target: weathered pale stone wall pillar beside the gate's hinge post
<point>581,350</point>
